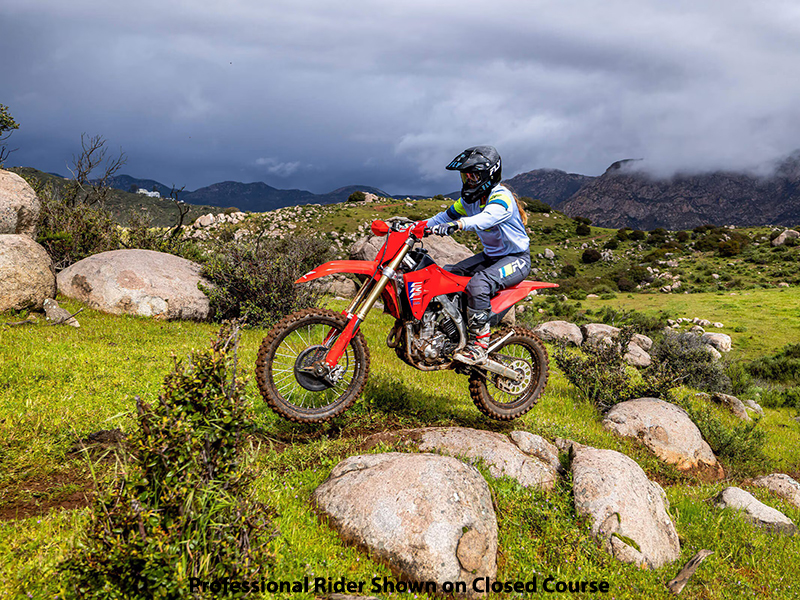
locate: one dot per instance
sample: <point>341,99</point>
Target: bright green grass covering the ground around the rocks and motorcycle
<point>58,384</point>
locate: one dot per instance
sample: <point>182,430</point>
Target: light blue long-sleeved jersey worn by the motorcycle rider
<point>497,222</point>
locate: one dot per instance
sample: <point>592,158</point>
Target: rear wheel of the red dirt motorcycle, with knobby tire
<point>500,398</point>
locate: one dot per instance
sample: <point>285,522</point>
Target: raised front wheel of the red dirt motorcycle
<point>284,358</point>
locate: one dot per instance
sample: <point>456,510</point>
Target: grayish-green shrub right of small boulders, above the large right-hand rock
<point>687,359</point>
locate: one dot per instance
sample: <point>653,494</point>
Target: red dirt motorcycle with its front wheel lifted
<point>314,363</point>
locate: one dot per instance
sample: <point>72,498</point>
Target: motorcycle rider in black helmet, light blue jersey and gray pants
<point>493,212</point>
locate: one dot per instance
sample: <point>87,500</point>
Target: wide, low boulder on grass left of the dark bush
<point>137,282</point>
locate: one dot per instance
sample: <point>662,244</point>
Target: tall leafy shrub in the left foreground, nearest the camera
<point>178,510</point>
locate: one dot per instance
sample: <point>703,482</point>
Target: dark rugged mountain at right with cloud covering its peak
<point>627,196</point>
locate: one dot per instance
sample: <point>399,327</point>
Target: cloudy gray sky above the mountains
<point>316,95</point>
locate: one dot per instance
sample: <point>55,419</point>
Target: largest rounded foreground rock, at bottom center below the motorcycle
<point>429,517</point>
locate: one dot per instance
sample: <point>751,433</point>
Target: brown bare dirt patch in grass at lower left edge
<point>39,495</point>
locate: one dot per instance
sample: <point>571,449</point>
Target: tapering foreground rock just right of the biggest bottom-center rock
<point>627,511</point>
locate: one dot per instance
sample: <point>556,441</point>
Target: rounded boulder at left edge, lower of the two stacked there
<point>27,276</point>
